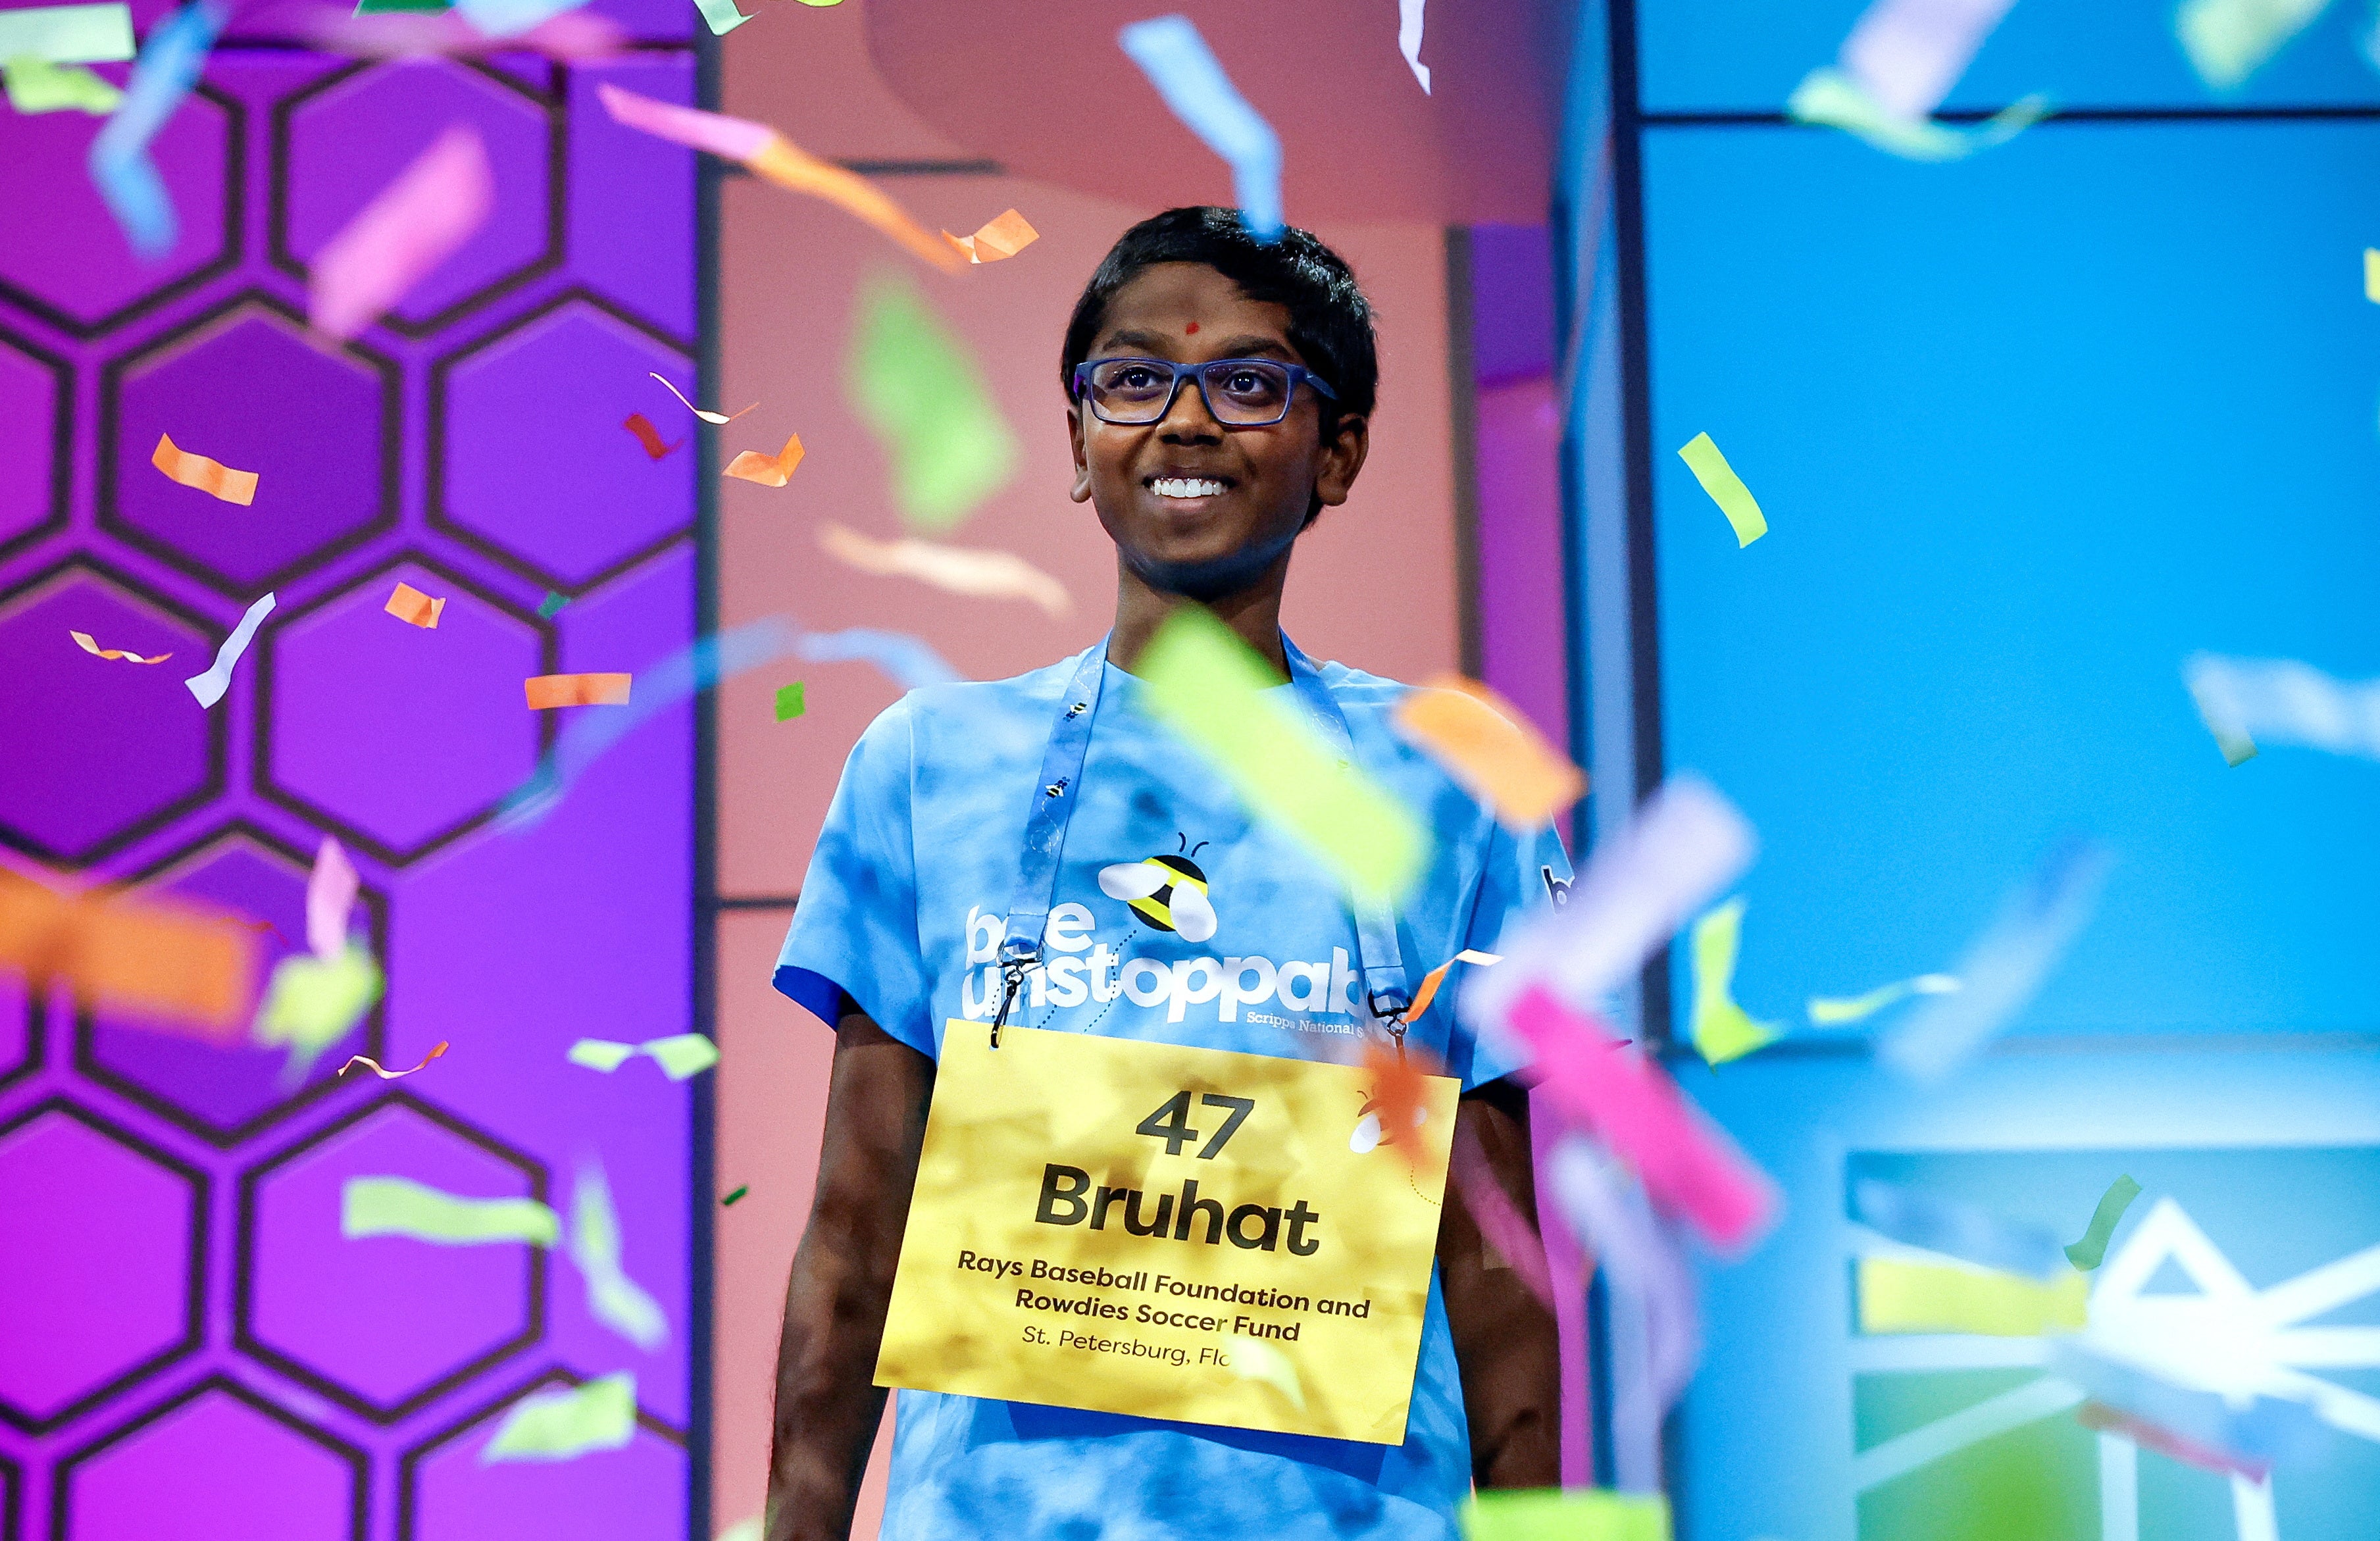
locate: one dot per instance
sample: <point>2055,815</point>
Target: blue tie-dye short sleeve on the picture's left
<point>856,923</point>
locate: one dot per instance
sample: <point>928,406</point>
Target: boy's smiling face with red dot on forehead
<point>1248,489</point>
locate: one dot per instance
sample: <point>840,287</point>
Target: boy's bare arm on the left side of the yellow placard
<point>827,1402</point>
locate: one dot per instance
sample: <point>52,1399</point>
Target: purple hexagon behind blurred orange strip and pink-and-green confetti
<point>227,1090</point>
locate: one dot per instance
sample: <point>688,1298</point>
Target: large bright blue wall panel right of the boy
<point>2029,430</point>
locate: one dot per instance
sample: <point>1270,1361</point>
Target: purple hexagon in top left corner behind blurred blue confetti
<point>84,273</point>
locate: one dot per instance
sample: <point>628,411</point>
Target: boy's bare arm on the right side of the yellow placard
<point>1503,1335</point>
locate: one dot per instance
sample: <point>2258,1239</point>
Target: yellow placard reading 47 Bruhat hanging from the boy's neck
<point>1170,1233</point>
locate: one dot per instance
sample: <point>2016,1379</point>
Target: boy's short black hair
<point>1329,316</point>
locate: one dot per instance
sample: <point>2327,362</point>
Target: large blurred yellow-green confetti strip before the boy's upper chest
<point>1213,690</point>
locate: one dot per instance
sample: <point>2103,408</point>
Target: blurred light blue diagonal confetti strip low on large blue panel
<point>2005,966</point>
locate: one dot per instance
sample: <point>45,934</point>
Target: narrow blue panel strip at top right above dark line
<point>1748,56</point>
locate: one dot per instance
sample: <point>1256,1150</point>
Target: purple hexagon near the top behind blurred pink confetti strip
<point>353,137</point>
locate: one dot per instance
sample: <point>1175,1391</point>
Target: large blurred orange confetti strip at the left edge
<point>146,959</point>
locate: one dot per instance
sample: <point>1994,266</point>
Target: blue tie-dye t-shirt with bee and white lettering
<point>906,909</point>
